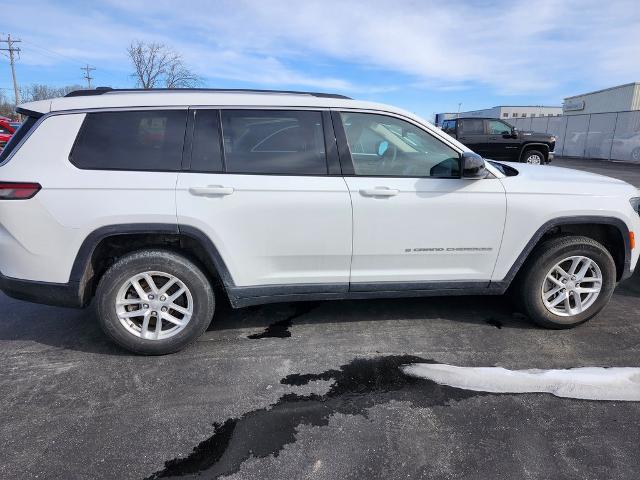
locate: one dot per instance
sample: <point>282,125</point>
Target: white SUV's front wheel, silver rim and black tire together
<point>567,281</point>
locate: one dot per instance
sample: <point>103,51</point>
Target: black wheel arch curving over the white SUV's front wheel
<point>611,232</point>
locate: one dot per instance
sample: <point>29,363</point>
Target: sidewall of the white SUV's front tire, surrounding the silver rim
<point>532,286</point>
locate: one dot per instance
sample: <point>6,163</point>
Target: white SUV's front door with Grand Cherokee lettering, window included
<point>415,221</point>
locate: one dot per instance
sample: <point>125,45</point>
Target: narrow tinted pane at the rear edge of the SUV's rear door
<point>206,154</point>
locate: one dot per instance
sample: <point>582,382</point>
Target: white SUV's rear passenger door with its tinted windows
<point>265,186</point>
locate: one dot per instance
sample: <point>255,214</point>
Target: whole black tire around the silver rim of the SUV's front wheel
<point>543,259</point>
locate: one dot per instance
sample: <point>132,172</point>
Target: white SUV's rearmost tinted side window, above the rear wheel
<point>133,140</point>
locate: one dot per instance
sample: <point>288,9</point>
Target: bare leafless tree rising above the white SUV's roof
<point>156,65</point>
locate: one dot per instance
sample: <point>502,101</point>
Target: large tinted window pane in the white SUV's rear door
<point>273,141</point>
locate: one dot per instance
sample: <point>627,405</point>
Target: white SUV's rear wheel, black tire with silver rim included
<point>154,302</point>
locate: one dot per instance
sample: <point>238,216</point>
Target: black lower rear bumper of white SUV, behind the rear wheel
<point>58,294</point>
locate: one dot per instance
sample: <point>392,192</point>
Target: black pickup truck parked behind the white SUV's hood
<point>496,139</point>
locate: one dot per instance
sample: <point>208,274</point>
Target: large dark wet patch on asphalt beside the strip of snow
<point>357,386</point>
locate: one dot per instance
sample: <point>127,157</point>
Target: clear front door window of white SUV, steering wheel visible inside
<point>387,146</point>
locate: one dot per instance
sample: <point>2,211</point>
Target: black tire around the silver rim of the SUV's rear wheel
<point>159,261</point>
